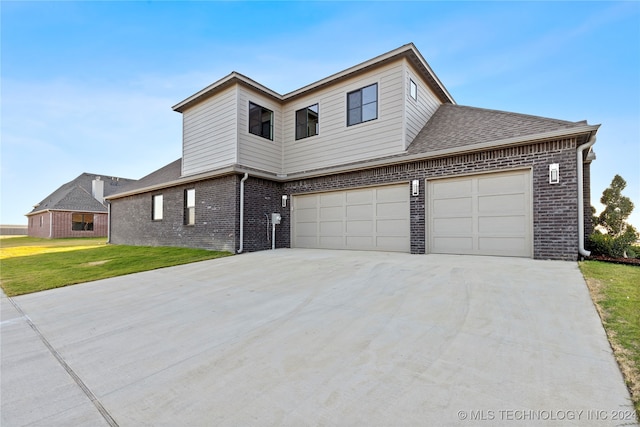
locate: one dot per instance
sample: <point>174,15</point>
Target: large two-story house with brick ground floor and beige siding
<point>376,157</point>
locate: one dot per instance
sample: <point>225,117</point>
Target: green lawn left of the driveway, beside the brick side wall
<point>42,264</point>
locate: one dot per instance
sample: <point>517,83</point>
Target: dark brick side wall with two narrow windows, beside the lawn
<point>216,218</point>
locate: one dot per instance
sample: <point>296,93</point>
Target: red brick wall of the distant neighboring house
<point>62,221</point>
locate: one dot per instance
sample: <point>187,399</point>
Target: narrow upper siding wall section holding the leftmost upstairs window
<point>255,151</point>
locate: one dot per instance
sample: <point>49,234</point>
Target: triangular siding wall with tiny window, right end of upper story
<point>417,112</point>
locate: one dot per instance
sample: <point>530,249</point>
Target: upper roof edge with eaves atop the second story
<point>408,51</point>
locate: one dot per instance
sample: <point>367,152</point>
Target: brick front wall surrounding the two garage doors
<point>555,208</point>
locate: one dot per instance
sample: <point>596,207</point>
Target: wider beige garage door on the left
<point>374,218</point>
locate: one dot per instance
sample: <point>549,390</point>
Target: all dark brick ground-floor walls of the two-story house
<point>555,207</point>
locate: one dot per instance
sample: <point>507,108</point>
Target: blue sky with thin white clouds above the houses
<point>88,86</point>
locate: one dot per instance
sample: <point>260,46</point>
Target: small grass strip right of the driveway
<point>615,289</point>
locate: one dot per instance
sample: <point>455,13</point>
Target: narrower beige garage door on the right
<point>489,214</point>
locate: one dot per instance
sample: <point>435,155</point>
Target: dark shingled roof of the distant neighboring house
<point>76,195</point>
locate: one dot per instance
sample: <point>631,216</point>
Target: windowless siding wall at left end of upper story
<point>210,133</point>
